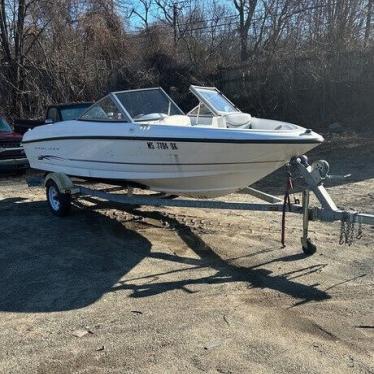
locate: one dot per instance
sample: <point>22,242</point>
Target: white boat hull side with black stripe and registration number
<point>173,163</point>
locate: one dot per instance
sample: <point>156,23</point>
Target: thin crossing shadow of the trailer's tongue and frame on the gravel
<point>226,272</point>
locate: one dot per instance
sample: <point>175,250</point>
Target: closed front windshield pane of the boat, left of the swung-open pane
<point>140,103</point>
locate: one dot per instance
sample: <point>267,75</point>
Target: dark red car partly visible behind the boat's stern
<point>12,155</point>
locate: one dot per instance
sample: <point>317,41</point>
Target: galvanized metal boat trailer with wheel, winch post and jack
<point>61,190</point>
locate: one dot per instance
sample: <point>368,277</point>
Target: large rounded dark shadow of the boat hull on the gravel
<point>50,264</point>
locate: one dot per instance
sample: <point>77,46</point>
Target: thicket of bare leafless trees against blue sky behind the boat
<point>66,50</point>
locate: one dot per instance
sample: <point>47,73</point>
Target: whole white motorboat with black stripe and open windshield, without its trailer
<point>143,137</point>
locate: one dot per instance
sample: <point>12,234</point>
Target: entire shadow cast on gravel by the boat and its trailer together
<point>52,264</point>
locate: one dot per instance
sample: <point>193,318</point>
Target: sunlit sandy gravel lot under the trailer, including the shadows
<point>186,291</point>
